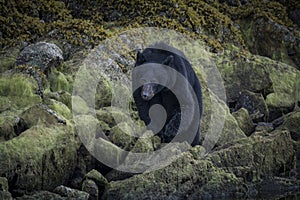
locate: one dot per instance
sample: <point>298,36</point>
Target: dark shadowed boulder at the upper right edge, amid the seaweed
<point>266,37</point>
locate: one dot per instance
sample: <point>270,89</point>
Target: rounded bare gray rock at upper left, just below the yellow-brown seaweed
<point>42,54</point>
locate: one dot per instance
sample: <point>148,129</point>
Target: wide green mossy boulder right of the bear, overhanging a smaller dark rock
<point>275,81</point>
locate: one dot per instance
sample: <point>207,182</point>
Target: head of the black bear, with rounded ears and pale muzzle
<point>154,76</point>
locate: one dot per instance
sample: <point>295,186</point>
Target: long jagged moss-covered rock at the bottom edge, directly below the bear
<point>162,184</point>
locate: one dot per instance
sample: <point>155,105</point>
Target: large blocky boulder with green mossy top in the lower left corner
<point>41,157</point>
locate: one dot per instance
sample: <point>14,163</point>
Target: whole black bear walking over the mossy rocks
<point>158,83</point>
